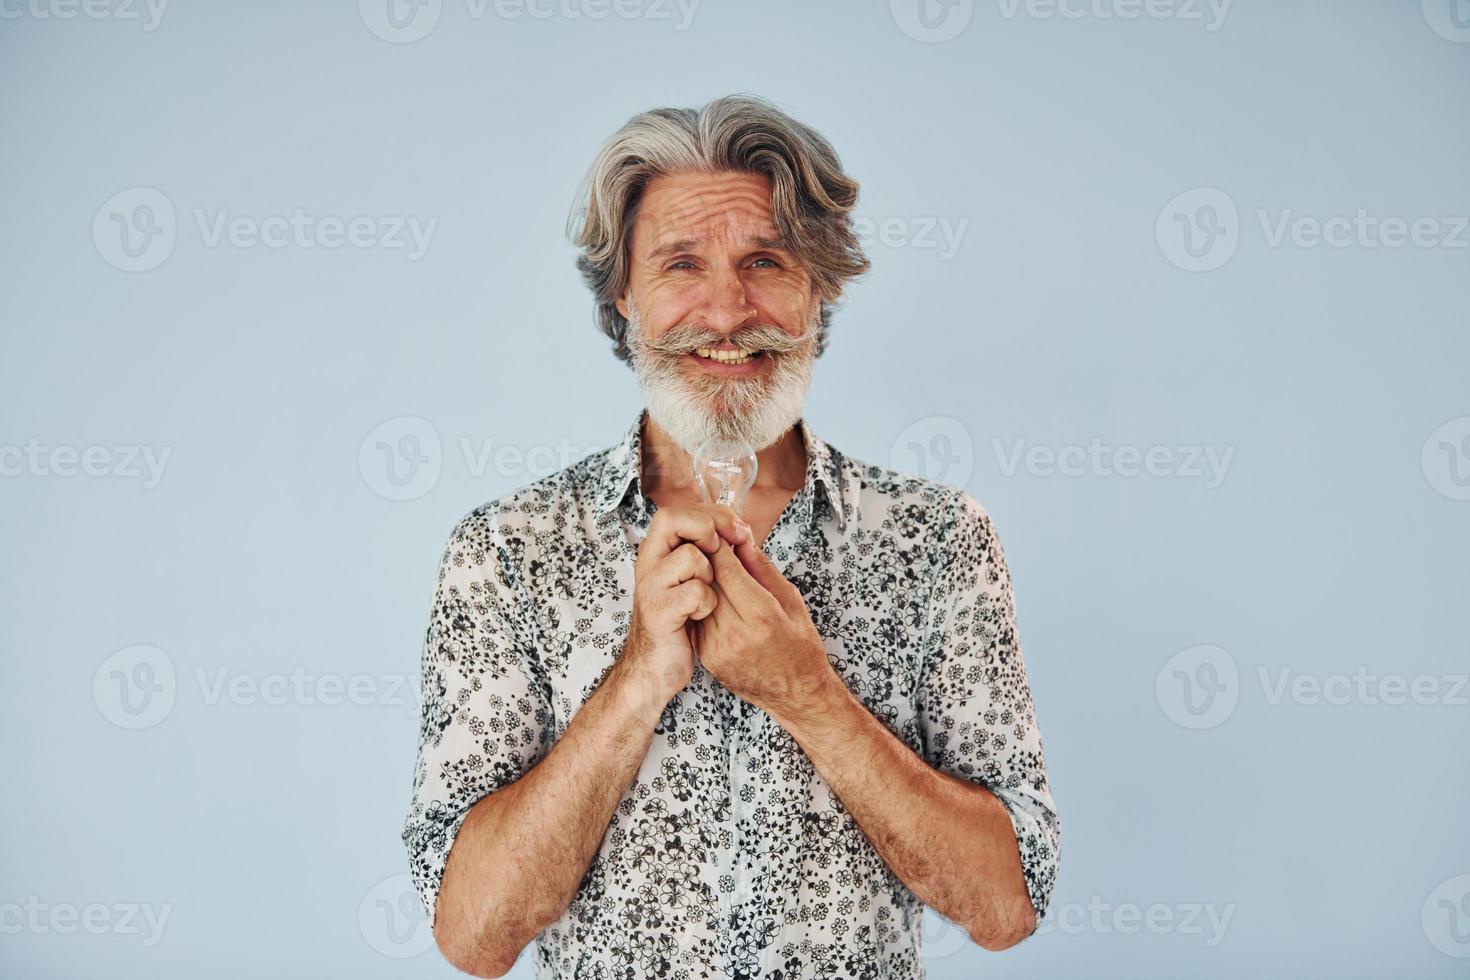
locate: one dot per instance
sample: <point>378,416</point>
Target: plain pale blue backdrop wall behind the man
<point>1331,835</point>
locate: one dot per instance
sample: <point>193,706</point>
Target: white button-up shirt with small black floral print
<point>728,856</point>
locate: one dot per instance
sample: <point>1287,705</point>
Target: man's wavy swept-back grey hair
<point>811,198</point>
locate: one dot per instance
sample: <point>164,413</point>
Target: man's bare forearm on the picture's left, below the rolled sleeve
<point>524,850</point>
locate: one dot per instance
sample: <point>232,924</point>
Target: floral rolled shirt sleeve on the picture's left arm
<point>486,706</point>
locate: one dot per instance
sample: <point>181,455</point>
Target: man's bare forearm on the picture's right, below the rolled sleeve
<point>950,841</point>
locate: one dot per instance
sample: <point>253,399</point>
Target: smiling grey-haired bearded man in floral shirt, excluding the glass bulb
<point>665,740</point>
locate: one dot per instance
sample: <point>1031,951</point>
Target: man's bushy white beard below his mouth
<point>753,411</point>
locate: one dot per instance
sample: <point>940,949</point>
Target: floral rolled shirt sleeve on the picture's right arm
<point>974,702</point>
